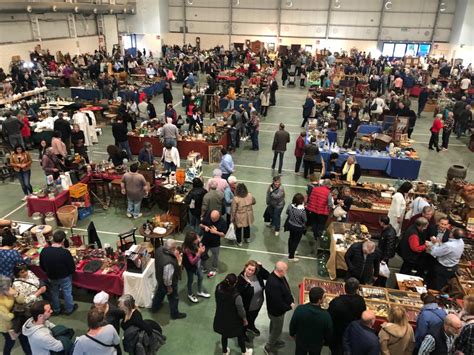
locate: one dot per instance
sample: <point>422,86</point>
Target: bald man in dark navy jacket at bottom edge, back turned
<point>359,337</point>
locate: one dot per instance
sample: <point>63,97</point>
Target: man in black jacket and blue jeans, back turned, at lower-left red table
<point>59,266</point>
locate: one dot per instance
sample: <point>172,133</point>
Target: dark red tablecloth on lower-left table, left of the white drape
<point>110,283</point>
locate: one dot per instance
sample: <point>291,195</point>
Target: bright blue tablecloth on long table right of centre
<point>393,167</point>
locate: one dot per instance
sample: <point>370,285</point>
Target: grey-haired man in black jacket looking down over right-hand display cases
<point>363,261</point>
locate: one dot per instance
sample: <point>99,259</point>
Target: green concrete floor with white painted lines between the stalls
<point>195,333</point>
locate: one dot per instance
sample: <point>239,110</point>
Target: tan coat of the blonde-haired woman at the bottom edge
<point>396,340</point>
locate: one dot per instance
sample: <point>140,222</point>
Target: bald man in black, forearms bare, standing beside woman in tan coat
<point>214,229</point>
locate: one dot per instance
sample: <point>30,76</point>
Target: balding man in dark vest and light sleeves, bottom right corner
<point>440,338</point>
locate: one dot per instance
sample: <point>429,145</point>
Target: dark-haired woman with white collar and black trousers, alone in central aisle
<point>296,224</point>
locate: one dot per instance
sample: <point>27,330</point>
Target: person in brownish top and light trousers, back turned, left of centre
<point>135,187</point>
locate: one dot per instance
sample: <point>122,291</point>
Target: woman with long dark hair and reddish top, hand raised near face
<point>192,252</point>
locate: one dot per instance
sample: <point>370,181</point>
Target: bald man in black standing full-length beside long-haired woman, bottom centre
<point>279,301</point>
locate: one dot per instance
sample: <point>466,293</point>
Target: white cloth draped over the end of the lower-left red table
<point>141,286</point>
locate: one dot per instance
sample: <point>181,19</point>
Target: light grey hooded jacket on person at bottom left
<point>41,338</point>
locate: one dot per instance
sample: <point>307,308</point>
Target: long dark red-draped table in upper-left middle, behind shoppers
<point>184,147</point>
